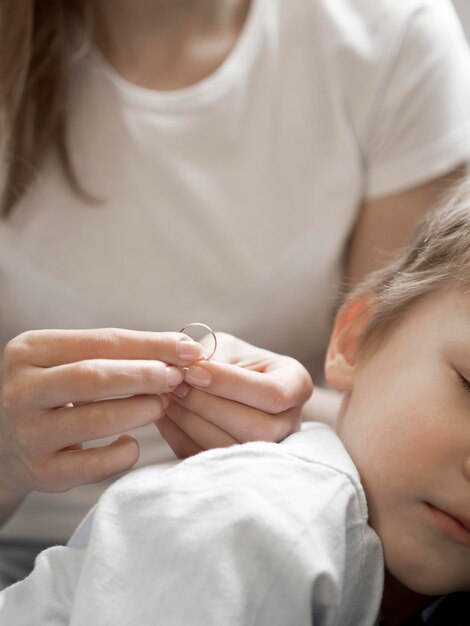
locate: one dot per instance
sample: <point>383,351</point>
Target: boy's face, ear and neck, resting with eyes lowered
<point>405,422</point>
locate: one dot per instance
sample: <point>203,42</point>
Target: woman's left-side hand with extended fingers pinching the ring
<point>52,380</point>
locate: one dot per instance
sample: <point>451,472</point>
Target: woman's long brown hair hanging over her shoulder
<point>34,47</point>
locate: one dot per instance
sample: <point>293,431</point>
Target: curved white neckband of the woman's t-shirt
<point>199,93</point>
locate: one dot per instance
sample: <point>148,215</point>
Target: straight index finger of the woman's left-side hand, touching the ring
<point>49,348</point>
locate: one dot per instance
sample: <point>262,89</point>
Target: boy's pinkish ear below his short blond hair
<point>343,351</point>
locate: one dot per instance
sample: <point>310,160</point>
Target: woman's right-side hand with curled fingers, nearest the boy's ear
<point>243,394</point>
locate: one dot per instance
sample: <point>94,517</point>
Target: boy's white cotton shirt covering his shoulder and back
<point>261,534</point>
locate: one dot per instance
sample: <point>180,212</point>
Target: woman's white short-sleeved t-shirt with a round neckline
<point>230,202</point>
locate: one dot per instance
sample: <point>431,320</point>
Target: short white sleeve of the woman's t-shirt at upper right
<point>418,125</point>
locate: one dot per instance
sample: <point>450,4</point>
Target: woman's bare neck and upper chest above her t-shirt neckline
<point>167,44</point>
